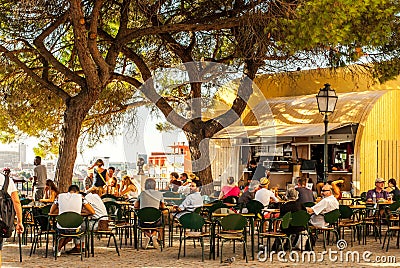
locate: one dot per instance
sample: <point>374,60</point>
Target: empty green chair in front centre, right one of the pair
<point>233,229</point>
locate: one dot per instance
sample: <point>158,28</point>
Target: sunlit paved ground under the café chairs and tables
<point>107,257</point>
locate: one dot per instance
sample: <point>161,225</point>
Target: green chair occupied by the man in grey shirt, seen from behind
<point>151,215</point>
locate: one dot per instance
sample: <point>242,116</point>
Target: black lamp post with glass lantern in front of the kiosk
<point>326,100</point>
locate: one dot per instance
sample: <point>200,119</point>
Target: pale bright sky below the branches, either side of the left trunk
<point>123,148</point>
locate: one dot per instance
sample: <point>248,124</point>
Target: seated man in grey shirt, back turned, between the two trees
<point>150,197</point>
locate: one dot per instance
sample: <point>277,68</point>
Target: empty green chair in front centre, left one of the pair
<point>194,222</point>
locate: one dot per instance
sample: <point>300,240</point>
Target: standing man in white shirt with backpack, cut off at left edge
<point>13,192</point>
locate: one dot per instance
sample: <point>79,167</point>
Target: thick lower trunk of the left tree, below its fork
<point>73,118</point>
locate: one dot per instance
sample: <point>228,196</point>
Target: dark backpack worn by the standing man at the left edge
<point>7,212</point>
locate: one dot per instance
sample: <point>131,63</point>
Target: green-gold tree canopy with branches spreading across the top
<point>108,64</point>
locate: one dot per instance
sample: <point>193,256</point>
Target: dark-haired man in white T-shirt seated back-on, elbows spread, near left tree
<point>70,202</point>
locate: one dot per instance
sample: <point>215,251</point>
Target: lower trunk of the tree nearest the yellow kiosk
<point>200,157</point>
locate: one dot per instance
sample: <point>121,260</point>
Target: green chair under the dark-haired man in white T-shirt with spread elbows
<point>69,220</point>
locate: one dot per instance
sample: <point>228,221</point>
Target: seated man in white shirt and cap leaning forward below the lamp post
<point>327,204</point>
